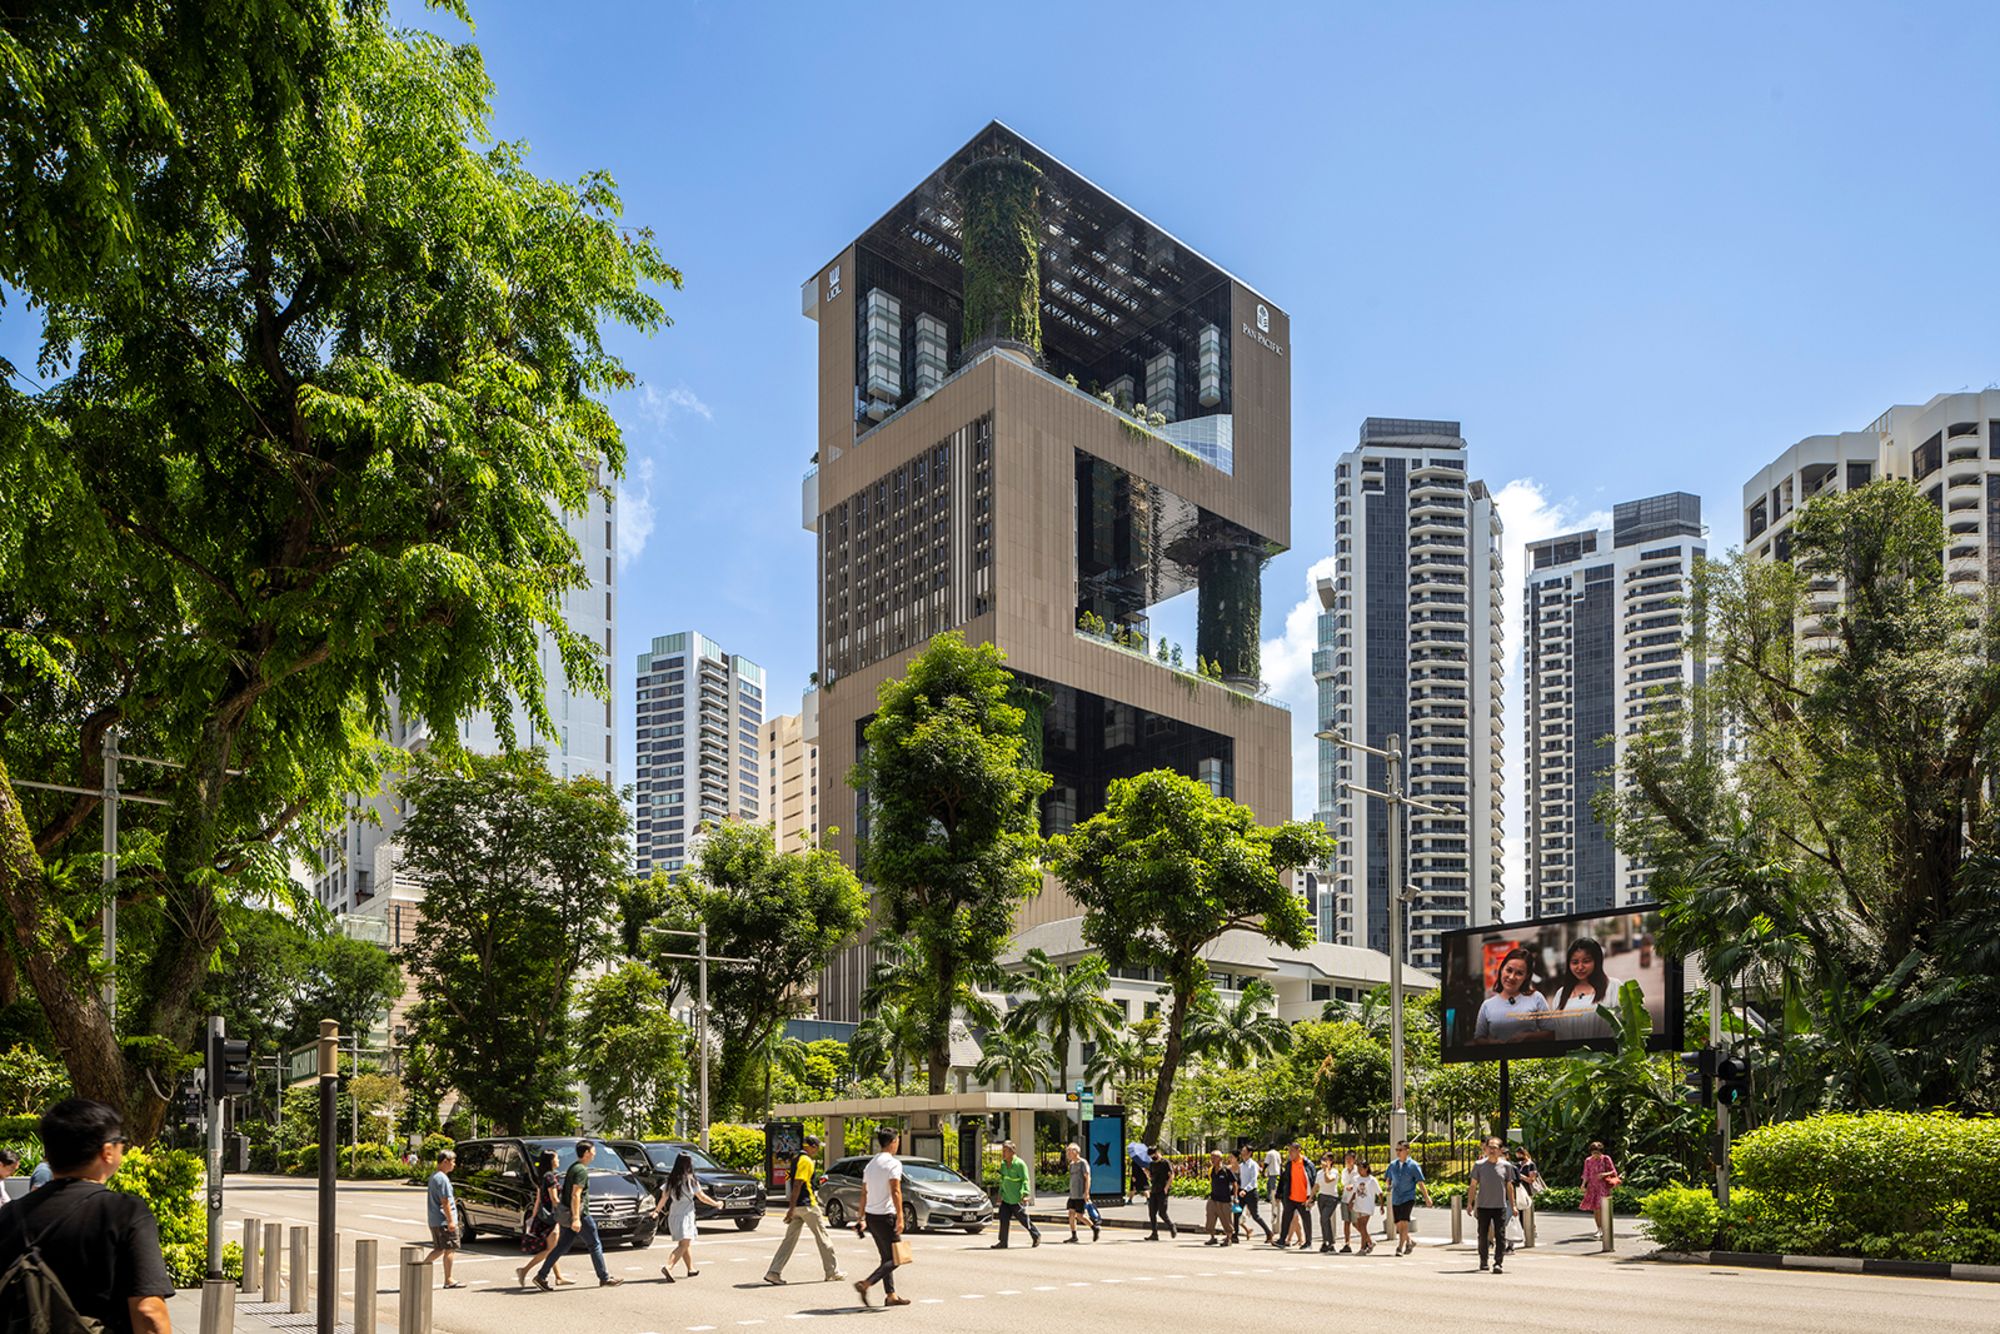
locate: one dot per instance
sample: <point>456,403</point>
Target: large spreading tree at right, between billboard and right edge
<point>1827,865</point>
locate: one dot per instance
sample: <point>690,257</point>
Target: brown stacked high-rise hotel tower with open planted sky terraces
<point>1043,417</point>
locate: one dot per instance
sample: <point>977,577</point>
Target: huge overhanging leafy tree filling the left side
<point>321,379</point>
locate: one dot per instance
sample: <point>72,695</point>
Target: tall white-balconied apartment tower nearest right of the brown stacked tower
<point>1411,645</point>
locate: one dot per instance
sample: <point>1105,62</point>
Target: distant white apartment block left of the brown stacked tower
<point>701,733</point>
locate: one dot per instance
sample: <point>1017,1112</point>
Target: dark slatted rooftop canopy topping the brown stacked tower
<point>1109,275</point>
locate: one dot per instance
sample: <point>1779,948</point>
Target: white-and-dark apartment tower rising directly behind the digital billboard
<point>1609,643</point>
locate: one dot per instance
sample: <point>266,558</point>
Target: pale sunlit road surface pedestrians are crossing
<point>1125,1283</point>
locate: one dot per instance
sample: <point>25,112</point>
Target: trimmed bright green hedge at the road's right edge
<point>1875,1185</point>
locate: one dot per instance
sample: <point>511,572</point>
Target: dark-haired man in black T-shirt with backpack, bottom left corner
<point>75,1249</point>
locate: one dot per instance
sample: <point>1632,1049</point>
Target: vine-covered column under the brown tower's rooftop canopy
<point>1003,251</point>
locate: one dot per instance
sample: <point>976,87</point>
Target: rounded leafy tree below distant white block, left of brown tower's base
<point>789,913</point>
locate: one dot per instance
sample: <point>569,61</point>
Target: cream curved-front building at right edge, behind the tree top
<point>1949,447</point>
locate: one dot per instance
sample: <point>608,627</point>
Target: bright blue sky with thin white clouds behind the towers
<point>1633,249</point>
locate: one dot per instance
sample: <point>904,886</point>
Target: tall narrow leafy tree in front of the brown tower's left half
<point>953,823</point>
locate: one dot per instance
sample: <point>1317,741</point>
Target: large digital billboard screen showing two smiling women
<point>1533,989</point>
